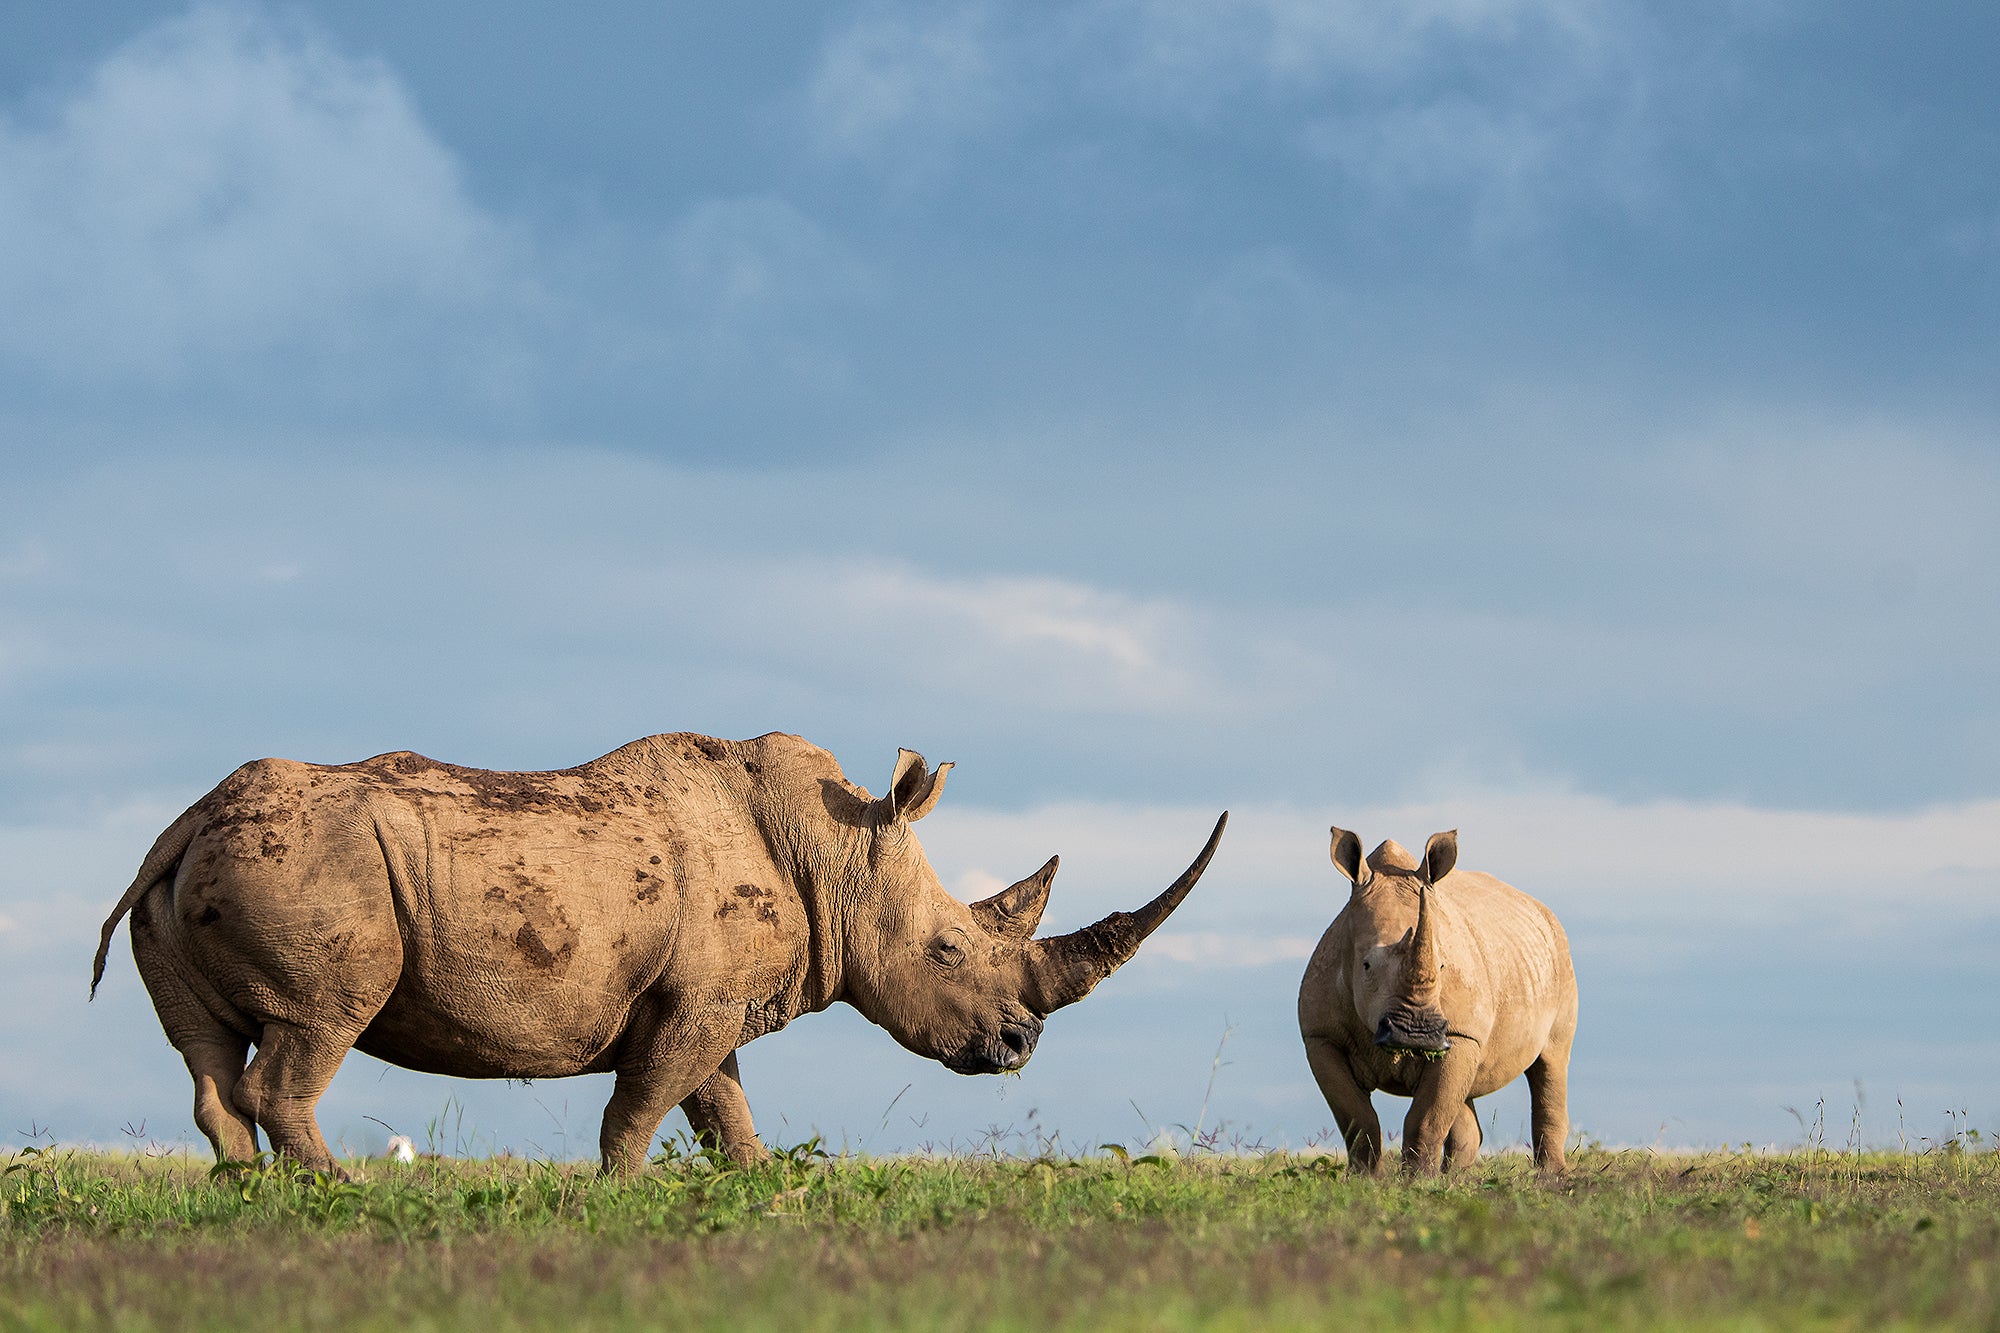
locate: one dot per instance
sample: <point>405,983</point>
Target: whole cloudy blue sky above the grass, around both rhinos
<point>1569,423</point>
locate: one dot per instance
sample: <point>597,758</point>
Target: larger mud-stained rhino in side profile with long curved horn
<point>645,914</point>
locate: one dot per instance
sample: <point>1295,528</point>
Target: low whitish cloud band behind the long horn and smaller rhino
<point>1617,866</point>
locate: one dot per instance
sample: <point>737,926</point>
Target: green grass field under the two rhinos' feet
<point>1627,1240</point>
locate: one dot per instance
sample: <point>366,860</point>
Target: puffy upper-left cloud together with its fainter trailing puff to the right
<point>229,209</point>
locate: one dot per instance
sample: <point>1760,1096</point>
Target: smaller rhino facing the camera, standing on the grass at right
<point>1437,986</point>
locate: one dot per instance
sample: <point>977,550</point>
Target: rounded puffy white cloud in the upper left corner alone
<point>217,189</point>
